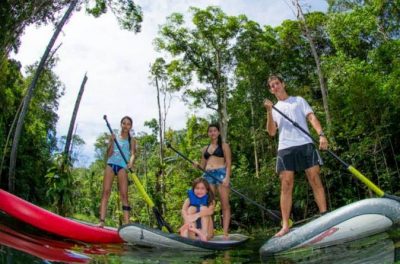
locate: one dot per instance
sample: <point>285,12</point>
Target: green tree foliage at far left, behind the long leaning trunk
<point>39,137</point>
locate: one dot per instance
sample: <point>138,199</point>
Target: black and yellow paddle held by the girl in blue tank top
<point>160,220</point>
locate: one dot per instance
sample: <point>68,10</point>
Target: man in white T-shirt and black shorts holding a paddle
<point>296,151</point>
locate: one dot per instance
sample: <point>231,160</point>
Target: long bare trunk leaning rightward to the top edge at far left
<point>28,97</point>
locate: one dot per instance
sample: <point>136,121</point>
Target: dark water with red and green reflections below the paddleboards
<point>20,243</point>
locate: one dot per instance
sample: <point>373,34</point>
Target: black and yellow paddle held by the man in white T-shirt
<point>350,168</point>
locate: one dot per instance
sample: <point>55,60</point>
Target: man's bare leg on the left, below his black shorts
<point>287,181</point>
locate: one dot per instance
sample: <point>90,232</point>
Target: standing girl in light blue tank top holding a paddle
<point>116,166</point>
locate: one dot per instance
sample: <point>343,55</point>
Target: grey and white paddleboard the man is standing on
<point>353,221</point>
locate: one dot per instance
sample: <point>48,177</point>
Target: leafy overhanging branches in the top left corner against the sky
<point>16,15</point>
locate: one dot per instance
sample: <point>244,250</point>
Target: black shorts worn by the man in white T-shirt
<point>298,158</point>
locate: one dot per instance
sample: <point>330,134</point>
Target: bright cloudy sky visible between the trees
<point>117,63</point>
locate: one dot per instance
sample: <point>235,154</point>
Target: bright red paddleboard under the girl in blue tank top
<point>55,224</point>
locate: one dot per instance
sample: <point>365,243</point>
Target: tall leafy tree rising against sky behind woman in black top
<point>207,51</point>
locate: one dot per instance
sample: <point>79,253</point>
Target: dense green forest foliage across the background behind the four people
<point>358,43</point>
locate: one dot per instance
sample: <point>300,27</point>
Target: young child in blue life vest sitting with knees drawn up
<point>197,211</point>
